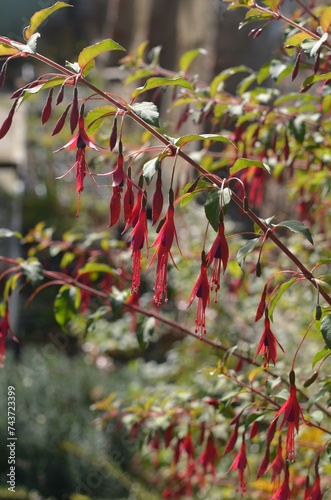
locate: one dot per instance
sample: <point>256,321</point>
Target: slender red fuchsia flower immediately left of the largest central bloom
<point>139,237</point>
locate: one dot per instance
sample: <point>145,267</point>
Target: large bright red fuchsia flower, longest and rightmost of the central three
<point>163,244</point>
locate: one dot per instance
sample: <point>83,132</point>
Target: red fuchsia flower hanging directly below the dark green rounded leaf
<point>218,255</point>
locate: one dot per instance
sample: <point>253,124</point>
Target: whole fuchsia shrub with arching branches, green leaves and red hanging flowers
<point>230,220</point>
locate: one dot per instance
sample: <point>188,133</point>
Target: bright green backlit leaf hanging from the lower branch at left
<point>66,304</point>
